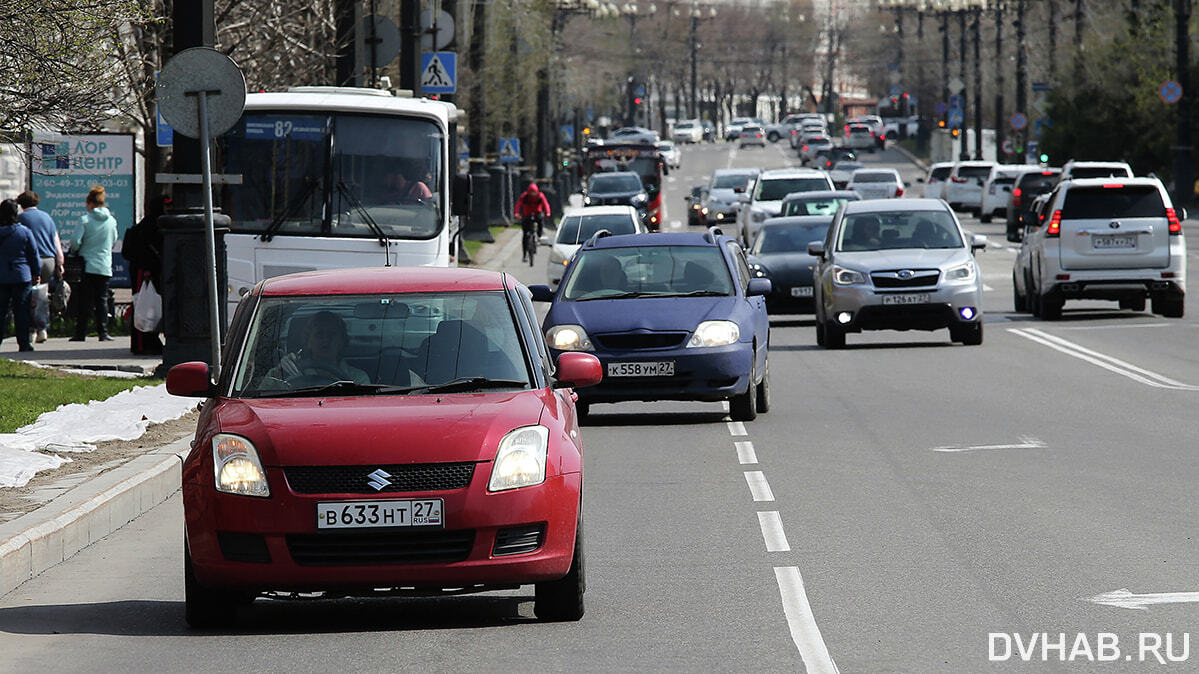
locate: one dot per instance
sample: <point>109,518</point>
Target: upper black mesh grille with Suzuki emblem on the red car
<point>400,478</point>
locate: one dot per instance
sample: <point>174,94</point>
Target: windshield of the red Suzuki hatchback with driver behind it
<point>395,341</point>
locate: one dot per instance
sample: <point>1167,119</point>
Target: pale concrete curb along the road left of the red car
<point>55,533</point>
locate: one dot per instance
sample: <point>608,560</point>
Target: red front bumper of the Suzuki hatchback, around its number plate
<point>254,544</point>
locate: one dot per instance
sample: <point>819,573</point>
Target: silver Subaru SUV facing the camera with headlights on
<point>897,264</point>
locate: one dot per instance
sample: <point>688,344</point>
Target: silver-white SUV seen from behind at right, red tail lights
<point>1104,239</point>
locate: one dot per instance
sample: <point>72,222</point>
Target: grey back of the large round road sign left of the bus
<point>191,71</point>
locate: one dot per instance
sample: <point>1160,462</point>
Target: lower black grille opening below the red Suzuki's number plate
<point>370,549</point>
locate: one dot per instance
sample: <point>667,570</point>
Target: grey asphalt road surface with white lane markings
<point>908,505</point>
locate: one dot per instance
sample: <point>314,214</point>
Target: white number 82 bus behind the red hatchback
<point>339,178</point>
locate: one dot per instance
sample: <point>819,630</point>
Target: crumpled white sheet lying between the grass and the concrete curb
<point>74,428</point>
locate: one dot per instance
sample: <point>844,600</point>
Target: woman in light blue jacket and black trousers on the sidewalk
<point>94,242</point>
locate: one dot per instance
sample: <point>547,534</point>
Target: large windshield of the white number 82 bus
<point>336,174</point>
